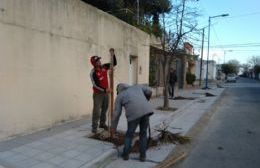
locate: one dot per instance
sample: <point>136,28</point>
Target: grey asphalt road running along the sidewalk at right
<point>231,139</point>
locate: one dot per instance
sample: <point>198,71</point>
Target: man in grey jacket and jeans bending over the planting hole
<point>134,99</point>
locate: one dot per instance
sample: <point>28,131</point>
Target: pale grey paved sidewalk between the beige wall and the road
<point>68,145</point>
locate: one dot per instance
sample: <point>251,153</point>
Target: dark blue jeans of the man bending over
<point>143,123</point>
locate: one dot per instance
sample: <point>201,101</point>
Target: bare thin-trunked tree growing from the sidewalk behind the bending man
<point>182,22</point>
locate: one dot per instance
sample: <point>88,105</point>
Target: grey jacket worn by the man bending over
<point>133,99</point>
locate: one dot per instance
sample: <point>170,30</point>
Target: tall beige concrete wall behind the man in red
<point>45,47</point>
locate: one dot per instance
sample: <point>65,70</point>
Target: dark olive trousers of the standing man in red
<point>100,106</point>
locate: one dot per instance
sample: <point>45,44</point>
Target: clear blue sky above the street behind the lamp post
<point>236,36</point>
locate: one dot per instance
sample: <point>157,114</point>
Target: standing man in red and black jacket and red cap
<point>101,90</point>
